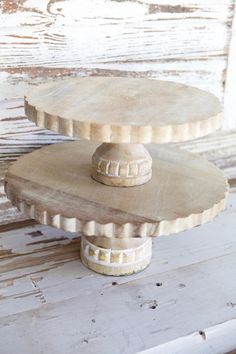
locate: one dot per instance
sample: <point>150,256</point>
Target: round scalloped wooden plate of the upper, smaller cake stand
<point>124,110</point>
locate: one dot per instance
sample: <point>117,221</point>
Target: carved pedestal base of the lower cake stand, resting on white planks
<point>114,256</point>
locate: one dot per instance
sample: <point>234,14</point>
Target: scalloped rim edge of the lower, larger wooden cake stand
<point>93,228</point>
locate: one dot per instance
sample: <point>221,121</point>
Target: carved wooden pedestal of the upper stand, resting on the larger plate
<point>122,165</point>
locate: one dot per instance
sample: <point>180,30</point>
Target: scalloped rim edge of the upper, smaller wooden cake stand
<point>134,134</point>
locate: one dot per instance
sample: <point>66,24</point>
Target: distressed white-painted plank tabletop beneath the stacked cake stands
<point>50,302</point>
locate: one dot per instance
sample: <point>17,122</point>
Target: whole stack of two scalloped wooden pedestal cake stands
<point>133,194</point>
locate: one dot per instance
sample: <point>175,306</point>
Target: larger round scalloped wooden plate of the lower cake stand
<point>53,185</point>
